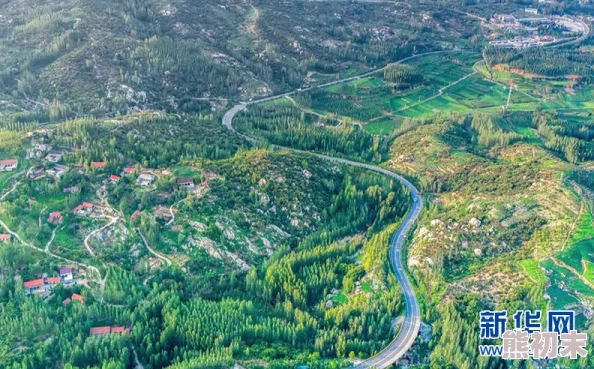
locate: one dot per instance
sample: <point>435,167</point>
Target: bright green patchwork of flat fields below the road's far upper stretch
<point>449,87</point>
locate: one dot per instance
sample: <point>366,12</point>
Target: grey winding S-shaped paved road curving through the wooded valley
<point>412,319</point>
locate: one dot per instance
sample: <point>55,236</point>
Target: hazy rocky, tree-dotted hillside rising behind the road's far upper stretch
<point>71,57</point>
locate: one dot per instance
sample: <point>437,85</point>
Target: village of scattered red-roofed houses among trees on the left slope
<point>47,165</point>
